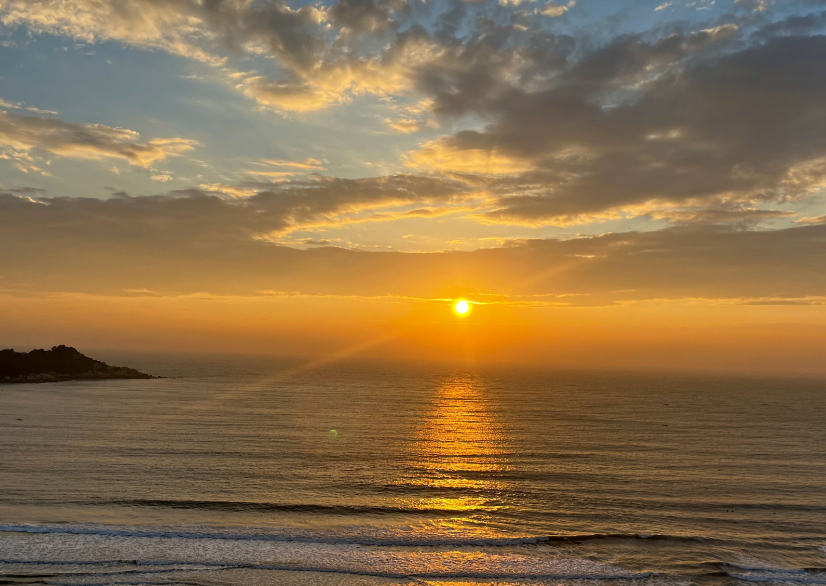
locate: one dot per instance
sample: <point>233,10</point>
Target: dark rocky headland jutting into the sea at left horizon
<point>61,363</point>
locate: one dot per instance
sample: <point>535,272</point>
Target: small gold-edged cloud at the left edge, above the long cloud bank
<point>20,136</point>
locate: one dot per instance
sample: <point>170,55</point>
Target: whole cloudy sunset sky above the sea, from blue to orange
<point>616,183</point>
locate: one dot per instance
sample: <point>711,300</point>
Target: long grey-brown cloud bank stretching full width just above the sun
<point>192,242</point>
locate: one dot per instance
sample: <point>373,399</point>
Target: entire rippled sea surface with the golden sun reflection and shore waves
<point>256,471</point>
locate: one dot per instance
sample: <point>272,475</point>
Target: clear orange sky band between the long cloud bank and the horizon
<point>683,334</point>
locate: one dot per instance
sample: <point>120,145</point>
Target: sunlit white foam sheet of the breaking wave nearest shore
<point>434,562</point>
